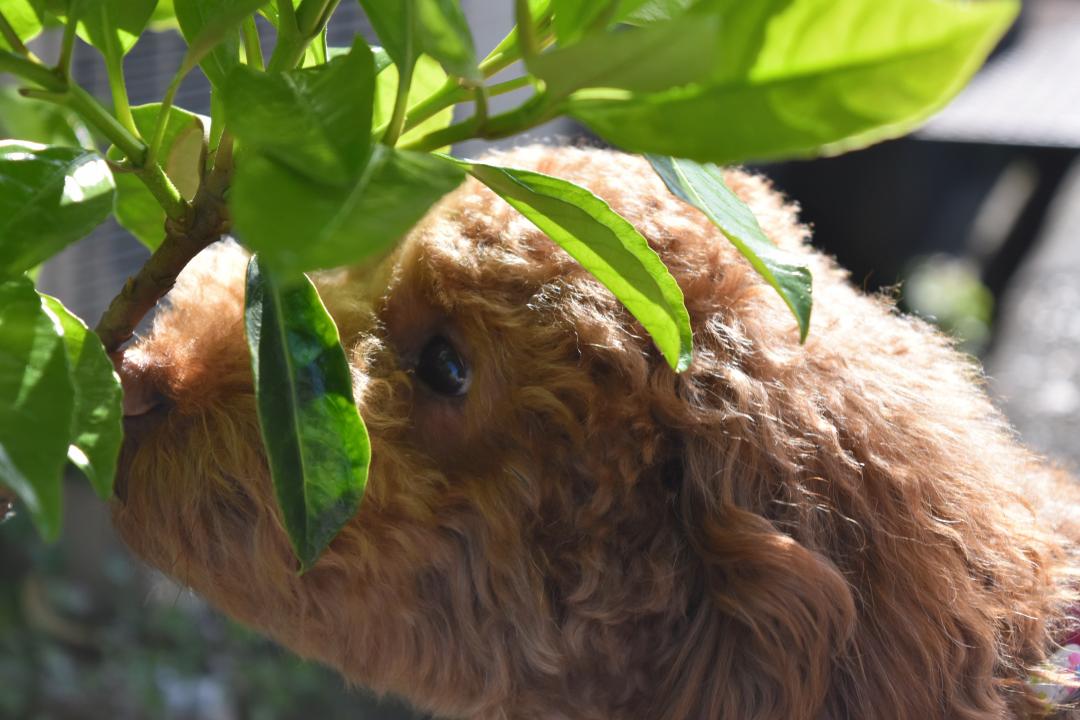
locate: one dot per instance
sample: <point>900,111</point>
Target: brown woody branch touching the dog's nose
<point>206,224</point>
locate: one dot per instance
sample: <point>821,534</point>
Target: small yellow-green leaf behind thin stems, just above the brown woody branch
<point>182,157</point>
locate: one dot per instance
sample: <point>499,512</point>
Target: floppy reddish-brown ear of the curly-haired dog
<point>766,616</point>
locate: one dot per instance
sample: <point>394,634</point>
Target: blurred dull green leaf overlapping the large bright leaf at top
<point>644,60</point>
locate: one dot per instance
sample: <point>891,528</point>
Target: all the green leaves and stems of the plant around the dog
<point>320,157</point>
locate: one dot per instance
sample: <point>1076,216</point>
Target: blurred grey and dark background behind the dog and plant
<point>973,223</point>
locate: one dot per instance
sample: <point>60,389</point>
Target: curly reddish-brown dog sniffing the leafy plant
<point>559,526</point>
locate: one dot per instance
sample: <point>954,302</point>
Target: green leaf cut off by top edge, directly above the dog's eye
<point>437,28</point>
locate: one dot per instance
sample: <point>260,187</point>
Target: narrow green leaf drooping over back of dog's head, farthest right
<point>703,186</point>
